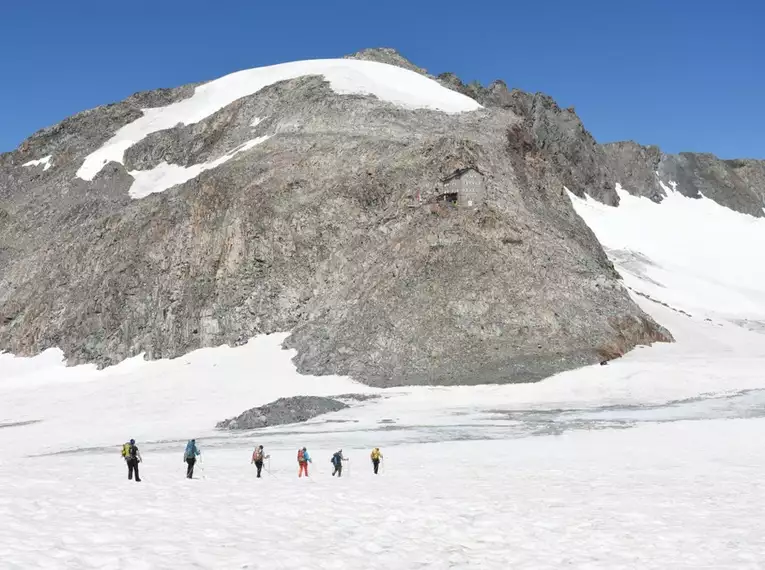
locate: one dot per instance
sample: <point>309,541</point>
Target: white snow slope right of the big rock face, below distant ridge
<point>692,254</point>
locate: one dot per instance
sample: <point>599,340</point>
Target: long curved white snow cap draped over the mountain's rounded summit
<point>388,83</point>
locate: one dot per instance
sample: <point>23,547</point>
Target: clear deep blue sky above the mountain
<point>683,74</point>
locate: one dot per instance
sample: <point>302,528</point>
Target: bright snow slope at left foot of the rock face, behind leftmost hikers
<point>84,407</point>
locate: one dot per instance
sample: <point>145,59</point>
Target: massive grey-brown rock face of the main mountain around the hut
<point>339,227</point>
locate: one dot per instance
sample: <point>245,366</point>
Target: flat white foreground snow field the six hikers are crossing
<point>682,495</point>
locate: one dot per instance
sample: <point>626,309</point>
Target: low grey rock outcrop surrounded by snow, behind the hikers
<point>283,411</point>
